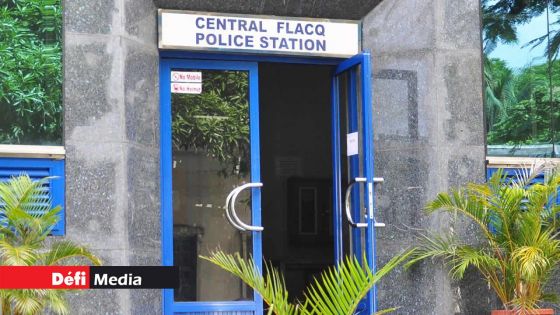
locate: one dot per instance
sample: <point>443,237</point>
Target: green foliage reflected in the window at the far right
<point>519,105</point>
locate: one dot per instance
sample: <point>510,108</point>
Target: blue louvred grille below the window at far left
<point>37,169</point>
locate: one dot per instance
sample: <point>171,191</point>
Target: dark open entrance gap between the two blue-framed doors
<point>296,170</point>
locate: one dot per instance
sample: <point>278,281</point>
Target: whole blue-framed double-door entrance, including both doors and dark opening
<point>306,127</point>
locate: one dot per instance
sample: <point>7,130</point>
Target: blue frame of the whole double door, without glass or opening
<point>188,60</point>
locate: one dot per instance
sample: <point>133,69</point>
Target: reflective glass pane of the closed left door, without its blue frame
<point>210,132</point>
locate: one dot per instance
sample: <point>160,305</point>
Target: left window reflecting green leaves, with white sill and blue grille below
<point>31,94</point>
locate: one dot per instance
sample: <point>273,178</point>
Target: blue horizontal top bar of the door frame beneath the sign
<point>252,58</point>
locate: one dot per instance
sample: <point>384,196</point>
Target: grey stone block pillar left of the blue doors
<point>112,142</point>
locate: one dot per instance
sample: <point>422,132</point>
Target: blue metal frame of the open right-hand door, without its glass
<point>357,66</point>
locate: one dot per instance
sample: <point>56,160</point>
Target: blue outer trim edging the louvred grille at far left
<point>57,185</point>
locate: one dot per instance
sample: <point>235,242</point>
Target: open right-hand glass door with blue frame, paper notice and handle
<point>353,178</point>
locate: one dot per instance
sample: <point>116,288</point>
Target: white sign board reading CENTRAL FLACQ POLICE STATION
<point>258,34</point>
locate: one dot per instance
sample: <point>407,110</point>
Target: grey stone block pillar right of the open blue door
<point>428,85</point>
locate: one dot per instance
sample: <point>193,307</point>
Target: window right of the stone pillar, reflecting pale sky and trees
<point>521,41</point>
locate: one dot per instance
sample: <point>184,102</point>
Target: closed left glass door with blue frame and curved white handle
<point>211,181</point>
